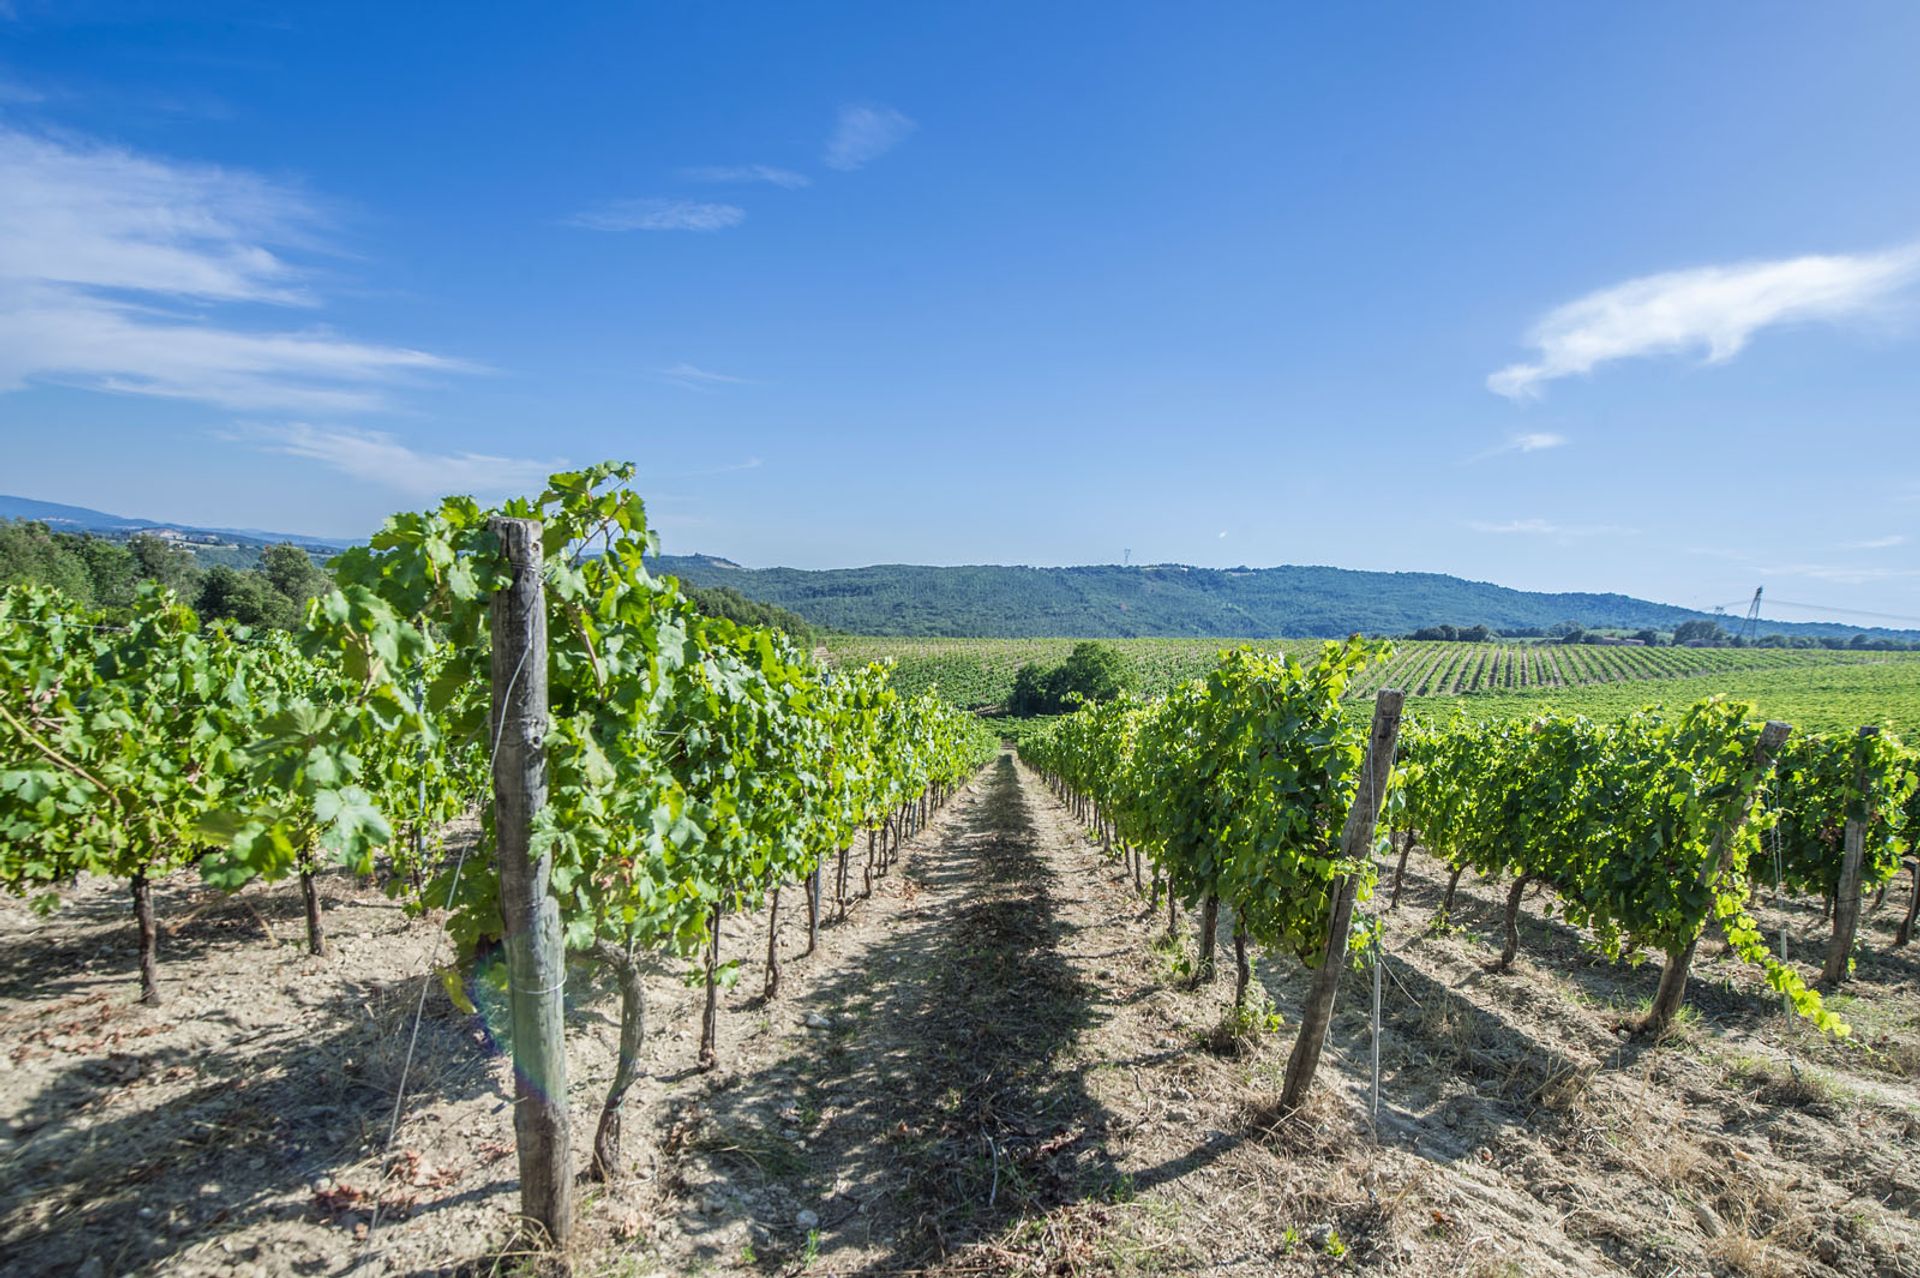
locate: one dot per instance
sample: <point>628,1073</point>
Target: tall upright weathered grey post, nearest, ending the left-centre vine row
<point>537,962</point>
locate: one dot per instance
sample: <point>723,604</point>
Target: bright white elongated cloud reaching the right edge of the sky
<point>1714,310</point>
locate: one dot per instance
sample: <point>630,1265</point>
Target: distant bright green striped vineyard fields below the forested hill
<point>1810,688</point>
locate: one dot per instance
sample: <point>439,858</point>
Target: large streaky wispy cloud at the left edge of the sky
<point>114,266</point>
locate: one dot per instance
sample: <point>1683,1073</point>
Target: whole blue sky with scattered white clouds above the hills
<point>1556,296</point>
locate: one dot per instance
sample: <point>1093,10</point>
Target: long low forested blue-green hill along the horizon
<point>1170,600</point>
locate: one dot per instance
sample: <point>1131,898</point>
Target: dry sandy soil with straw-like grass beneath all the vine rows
<point>992,1066</point>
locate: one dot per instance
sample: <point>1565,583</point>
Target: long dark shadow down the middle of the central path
<point>932,1093</point>
